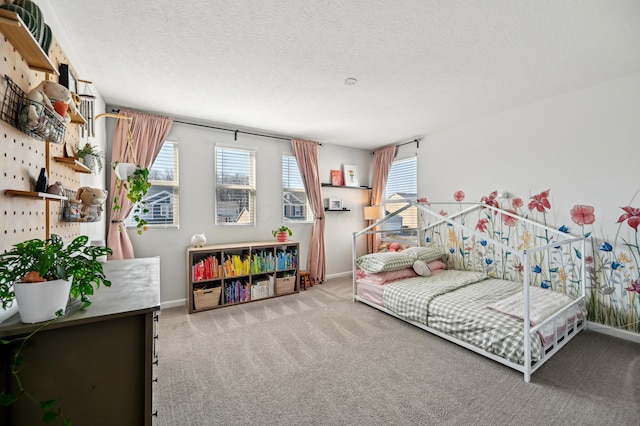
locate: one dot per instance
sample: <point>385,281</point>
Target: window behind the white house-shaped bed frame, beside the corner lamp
<point>402,185</point>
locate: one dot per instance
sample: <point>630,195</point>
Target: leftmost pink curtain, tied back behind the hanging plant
<point>148,133</point>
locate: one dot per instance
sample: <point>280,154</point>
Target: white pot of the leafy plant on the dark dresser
<point>39,302</point>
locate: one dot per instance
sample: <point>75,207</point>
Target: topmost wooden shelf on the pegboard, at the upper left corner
<point>14,28</point>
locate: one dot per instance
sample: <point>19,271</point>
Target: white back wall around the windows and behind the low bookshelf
<point>197,195</point>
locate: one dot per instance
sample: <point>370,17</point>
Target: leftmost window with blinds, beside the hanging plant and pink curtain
<point>163,196</point>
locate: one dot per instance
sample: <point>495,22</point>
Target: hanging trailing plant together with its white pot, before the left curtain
<point>135,180</point>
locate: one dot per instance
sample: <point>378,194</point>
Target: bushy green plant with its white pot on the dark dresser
<point>46,275</point>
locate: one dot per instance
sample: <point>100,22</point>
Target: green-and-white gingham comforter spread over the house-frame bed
<point>455,303</point>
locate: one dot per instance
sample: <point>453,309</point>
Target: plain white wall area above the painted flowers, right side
<point>584,146</point>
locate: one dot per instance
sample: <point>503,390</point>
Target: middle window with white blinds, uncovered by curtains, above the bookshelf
<point>235,186</point>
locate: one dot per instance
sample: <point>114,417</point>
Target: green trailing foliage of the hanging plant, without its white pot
<point>136,185</point>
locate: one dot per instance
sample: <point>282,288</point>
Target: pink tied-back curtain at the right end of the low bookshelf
<point>307,157</point>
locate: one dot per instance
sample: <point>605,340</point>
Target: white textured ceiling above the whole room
<point>280,66</point>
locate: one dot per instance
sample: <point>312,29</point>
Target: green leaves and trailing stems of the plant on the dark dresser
<point>41,261</point>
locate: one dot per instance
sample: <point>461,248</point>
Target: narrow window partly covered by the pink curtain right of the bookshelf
<point>294,197</point>
